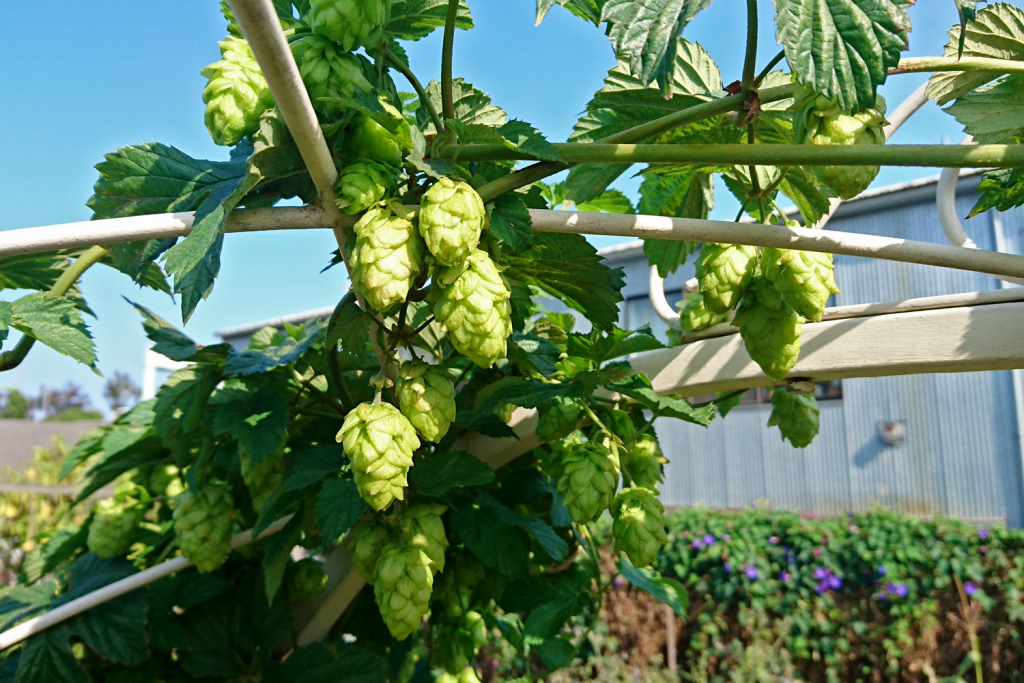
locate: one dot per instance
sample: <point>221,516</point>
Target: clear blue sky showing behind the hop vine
<point>82,78</point>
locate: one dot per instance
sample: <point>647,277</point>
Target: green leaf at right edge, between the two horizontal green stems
<point>993,114</point>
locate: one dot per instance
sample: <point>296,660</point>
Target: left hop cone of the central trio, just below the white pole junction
<point>388,257</point>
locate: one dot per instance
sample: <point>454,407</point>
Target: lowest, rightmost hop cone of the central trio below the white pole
<point>475,309</point>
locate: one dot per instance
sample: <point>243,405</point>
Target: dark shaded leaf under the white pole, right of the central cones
<point>569,268</point>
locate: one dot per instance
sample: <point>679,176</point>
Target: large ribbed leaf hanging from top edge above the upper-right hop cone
<point>843,50</point>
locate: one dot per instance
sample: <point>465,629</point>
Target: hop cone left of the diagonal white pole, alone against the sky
<point>236,95</point>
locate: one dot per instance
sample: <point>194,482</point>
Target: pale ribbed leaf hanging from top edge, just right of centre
<point>648,33</point>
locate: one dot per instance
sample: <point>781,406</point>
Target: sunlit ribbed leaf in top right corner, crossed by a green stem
<point>998,32</point>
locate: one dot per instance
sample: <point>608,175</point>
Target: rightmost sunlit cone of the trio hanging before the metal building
<point>804,278</point>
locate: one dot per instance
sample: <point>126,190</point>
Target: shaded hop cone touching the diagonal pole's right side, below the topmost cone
<point>329,71</point>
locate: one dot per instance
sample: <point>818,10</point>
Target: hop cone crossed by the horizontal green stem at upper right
<point>827,124</point>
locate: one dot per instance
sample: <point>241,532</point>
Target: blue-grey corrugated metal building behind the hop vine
<point>962,452</point>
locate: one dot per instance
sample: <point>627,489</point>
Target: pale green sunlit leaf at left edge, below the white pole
<point>56,322</point>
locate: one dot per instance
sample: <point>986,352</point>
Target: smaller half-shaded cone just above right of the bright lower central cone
<point>426,397</point>
